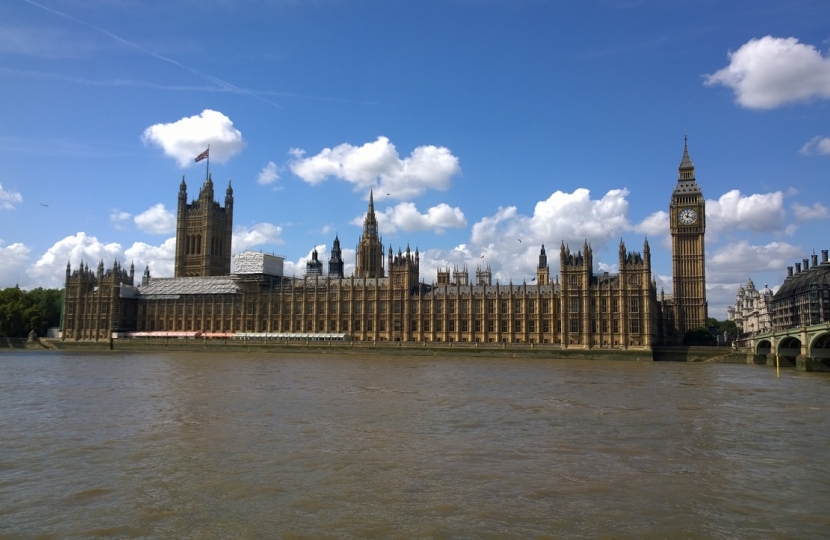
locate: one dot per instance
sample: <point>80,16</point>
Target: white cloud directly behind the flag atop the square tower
<point>188,137</point>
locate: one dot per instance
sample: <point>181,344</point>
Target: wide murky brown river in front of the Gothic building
<point>203,445</point>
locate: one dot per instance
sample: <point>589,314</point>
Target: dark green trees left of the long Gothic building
<point>22,312</point>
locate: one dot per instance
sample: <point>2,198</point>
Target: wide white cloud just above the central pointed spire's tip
<point>377,165</point>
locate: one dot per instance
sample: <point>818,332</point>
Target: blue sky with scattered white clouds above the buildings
<point>478,123</point>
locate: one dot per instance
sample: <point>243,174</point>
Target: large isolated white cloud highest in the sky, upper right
<point>769,72</point>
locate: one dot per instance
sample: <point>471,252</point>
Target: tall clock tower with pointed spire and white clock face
<point>687,221</point>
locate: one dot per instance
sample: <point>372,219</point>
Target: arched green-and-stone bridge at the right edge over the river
<point>807,348</point>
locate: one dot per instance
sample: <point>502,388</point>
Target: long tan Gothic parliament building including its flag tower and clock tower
<point>387,298</point>
